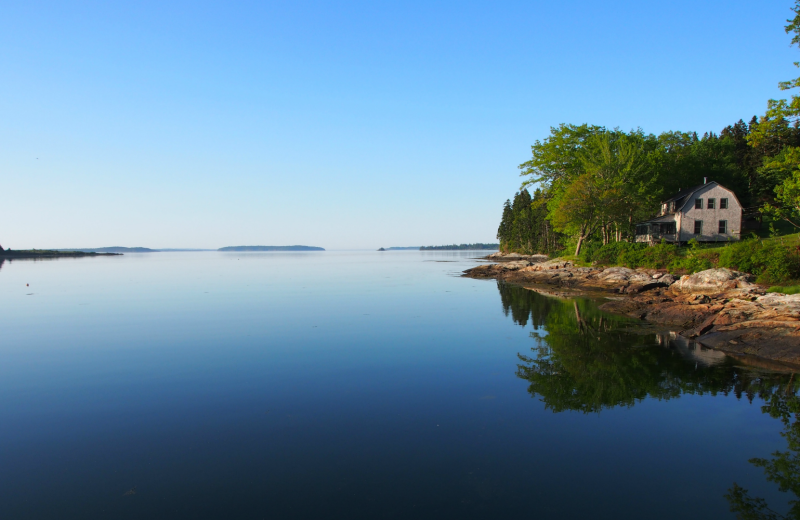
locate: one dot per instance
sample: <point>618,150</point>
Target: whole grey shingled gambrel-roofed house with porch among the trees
<point>709,212</point>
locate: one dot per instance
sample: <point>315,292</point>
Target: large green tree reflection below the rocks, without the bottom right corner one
<point>588,360</point>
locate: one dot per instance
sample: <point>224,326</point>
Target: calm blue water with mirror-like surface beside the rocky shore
<point>360,385</point>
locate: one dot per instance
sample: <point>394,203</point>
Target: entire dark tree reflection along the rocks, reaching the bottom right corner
<point>587,360</point>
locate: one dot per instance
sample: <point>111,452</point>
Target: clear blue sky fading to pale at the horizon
<point>340,124</point>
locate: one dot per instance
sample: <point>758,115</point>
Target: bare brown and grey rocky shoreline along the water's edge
<point>719,308</point>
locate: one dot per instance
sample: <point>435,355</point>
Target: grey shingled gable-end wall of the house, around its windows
<point>710,217</point>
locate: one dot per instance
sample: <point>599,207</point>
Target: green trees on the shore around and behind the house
<point>594,183</point>
